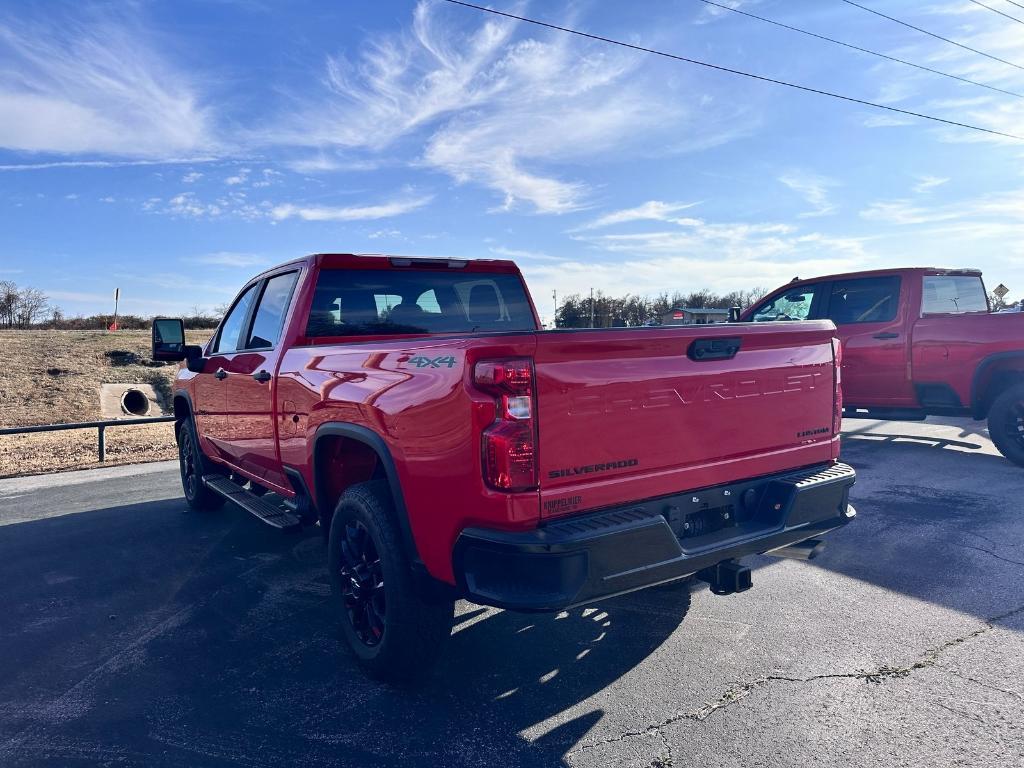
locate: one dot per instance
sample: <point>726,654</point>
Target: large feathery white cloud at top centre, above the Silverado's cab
<point>492,110</point>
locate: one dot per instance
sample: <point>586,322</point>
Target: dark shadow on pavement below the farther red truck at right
<point>942,526</point>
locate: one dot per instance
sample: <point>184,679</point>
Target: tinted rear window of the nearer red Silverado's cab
<point>363,303</point>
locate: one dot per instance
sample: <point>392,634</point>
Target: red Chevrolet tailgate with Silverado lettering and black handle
<point>629,415</point>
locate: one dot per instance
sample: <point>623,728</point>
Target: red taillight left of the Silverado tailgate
<point>509,446</point>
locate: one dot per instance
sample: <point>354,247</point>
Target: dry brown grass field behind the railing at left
<point>54,377</point>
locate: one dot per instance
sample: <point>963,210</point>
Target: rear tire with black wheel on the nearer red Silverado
<point>394,633</point>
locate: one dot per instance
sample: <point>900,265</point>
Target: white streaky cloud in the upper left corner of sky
<point>72,88</point>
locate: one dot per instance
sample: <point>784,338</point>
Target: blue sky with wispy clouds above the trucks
<point>175,149</point>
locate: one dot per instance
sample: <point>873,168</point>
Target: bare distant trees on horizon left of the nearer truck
<point>30,309</point>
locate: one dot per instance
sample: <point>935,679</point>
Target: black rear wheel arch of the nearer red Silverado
<point>368,441</point>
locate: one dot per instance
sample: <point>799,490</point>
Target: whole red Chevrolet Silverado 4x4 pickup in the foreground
<point>450,449</point>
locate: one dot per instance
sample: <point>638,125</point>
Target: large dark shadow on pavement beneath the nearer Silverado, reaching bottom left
<point>145,635</point>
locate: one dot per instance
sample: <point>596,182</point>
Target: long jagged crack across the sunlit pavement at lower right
<point>740,692</point>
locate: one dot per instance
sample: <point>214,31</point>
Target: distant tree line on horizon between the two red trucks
<point>630,311</point>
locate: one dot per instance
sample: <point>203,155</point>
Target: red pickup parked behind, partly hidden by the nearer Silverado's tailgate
<point>918,343</point>
